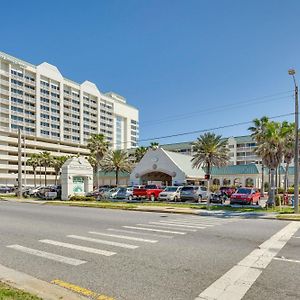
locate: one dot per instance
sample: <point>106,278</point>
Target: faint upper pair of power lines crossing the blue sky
<point>220,108</point>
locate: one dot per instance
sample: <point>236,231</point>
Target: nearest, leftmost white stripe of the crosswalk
<point>59,258</point>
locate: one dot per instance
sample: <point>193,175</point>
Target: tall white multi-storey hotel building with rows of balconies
<point>55,114</point>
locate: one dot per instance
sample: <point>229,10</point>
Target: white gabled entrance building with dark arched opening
<point>166,168</point>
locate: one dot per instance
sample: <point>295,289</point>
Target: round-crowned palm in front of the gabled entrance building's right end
<point>210,151</point>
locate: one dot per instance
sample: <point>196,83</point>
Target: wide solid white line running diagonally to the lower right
<point>237,281</point>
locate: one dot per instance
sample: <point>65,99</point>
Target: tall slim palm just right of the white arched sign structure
<point>98,147</point>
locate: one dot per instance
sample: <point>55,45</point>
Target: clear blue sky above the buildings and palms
<point>187,65</point>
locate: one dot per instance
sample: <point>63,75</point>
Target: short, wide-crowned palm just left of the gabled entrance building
<point>116,161</point>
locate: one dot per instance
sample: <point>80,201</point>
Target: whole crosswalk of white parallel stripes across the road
<point>126,237</point>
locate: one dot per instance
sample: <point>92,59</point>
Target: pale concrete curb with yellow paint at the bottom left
<point>40,288</point>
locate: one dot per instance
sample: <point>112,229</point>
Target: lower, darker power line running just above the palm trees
<point>207,129</point>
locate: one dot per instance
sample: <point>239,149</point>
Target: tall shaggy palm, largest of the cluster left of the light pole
<point>271,148</point>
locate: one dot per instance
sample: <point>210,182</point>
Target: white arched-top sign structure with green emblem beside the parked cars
<point>76,178</point>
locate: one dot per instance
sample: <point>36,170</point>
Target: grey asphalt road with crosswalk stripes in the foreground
<point>185,257</point>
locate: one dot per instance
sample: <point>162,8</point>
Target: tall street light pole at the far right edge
<point>292,72</point>
